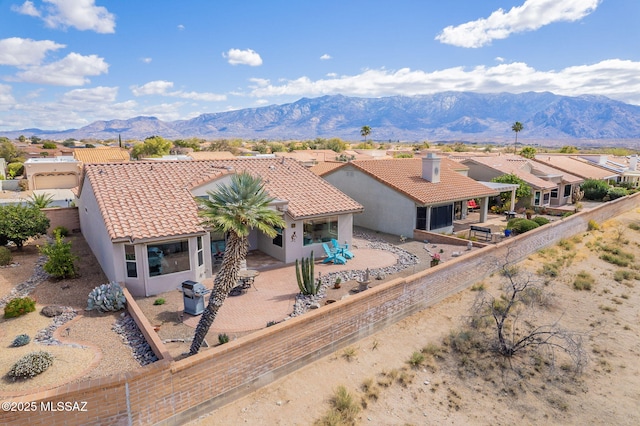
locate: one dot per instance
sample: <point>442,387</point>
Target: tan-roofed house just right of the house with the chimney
<point>549,186</point>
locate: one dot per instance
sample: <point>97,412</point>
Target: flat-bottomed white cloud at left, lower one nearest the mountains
<point>72,70</point>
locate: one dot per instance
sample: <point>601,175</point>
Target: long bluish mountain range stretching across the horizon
<point>447,116</point>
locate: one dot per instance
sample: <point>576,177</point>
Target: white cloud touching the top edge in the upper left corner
<point>80,14</point>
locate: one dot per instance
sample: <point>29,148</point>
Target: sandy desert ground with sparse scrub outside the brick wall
<point>442,392</point>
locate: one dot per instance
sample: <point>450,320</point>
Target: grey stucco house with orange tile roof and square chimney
<point>403,194</point>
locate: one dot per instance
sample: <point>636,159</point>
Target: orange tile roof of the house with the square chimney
<point>405,176</point>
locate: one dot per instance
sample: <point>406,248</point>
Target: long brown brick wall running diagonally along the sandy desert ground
<point>172,392</point>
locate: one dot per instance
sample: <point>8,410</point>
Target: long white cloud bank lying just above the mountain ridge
<point>615,78</point>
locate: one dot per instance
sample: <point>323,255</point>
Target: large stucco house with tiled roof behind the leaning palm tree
<point>141,220</point>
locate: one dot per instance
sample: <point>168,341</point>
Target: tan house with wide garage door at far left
<point>52,172</point>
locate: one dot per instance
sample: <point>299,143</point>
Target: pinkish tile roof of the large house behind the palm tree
<point>144,200</point>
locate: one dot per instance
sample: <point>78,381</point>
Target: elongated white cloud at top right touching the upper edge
<point>532,15</point>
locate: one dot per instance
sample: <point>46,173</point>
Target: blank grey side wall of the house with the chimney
<point>385,210</point>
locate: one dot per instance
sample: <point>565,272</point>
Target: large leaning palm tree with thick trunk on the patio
<point>234,209</point>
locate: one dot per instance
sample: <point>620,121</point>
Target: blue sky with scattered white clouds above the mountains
<point>67,63</point>
